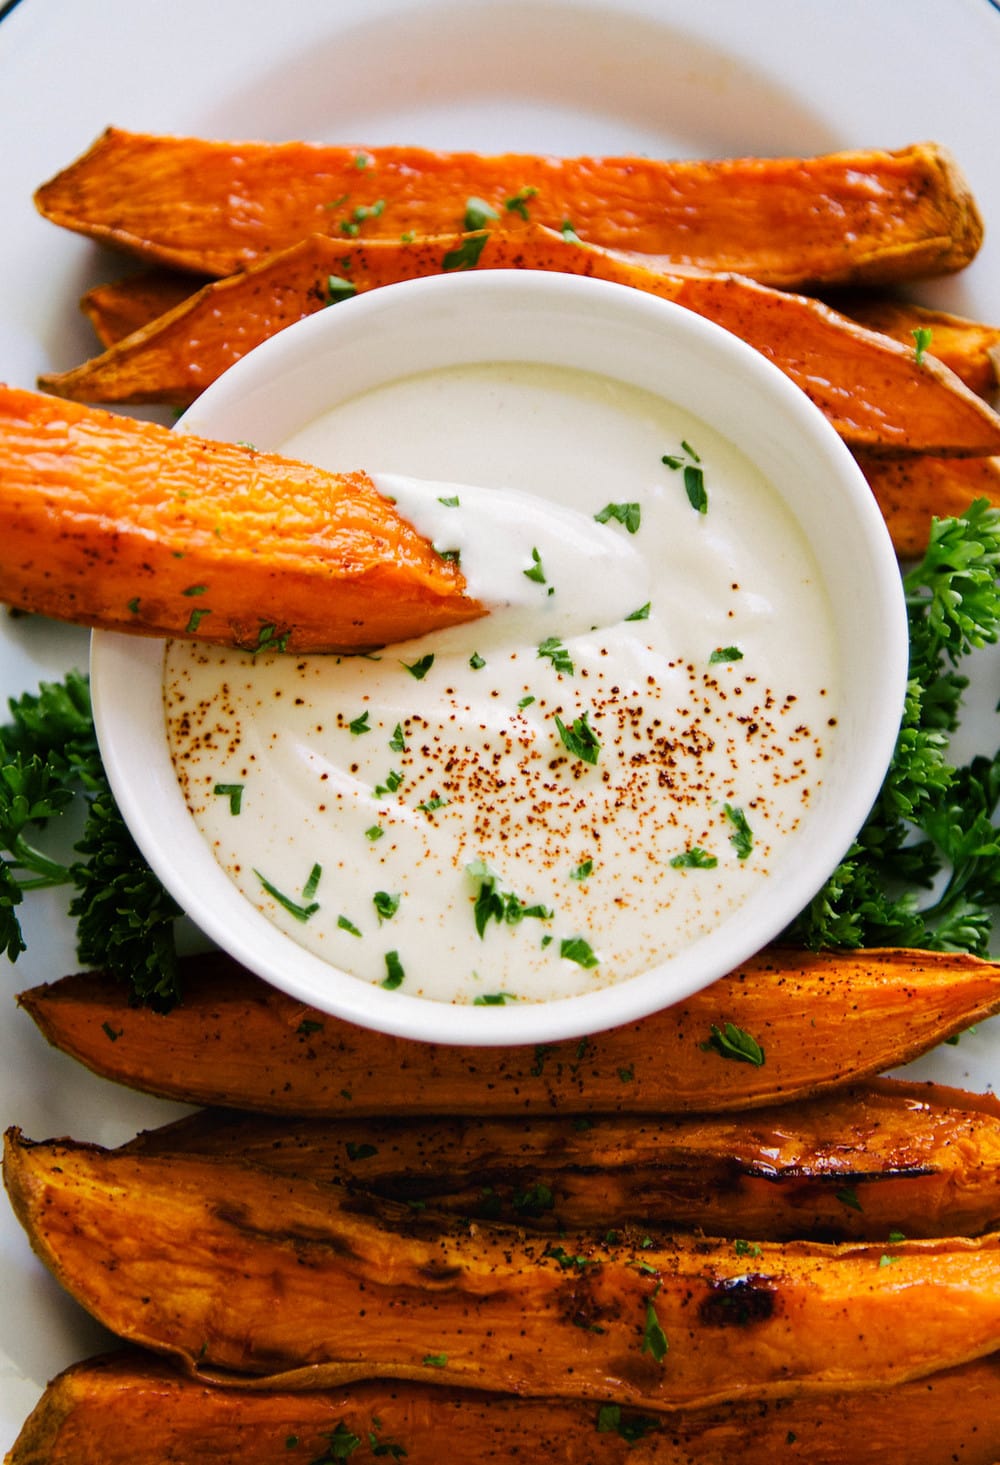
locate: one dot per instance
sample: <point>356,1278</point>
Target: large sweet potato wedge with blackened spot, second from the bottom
<point>236,1271</point>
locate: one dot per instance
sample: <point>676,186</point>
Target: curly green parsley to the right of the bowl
<point>926,867</point>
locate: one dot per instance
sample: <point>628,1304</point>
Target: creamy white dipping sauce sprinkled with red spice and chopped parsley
<point>418,818</point>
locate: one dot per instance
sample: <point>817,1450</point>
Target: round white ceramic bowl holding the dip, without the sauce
<point>563,322</point>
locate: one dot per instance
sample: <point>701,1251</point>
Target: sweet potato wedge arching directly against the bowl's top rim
<point>872,389</point>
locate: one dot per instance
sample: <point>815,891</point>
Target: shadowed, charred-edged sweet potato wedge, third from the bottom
<point>856,1165</point>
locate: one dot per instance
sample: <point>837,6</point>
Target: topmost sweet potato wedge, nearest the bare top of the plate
<point>863,216</point>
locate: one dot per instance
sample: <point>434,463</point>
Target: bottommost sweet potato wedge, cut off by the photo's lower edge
<point>131,1409</point>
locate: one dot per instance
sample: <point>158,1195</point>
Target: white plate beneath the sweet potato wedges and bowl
<point>668,77</point>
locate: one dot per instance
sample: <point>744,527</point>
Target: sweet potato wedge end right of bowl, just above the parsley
<point>914,492</point>
